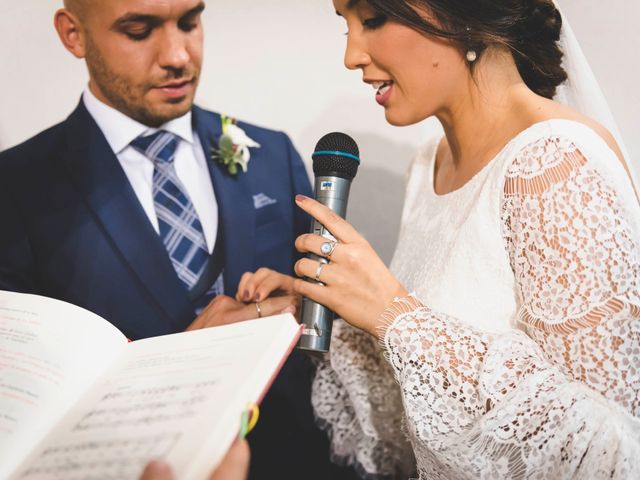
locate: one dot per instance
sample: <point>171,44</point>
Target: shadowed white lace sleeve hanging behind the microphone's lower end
<point>357,400</point>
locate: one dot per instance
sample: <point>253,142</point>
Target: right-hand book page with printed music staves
<point>179,397</point>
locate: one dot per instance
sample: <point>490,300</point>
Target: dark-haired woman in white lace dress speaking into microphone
<point>504,342</point>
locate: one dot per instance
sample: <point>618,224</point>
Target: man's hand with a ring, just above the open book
<point>225,310</point>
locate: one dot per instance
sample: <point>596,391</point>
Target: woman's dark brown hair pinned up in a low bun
<point>530,29</point>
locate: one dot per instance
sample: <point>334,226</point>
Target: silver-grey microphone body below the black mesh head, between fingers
<point>317,319</point>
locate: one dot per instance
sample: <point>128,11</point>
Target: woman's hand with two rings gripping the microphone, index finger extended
<point>358,285</point>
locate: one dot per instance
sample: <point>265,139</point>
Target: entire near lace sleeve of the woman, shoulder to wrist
<point>562,400</point>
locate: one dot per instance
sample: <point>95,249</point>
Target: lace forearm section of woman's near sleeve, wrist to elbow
<point>505,412</point>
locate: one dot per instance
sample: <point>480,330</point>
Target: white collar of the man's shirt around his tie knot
<point>120,130</point>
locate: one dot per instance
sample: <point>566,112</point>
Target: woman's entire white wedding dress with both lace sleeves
<point>518,355</point>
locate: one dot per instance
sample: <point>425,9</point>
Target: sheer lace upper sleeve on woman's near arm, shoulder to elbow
<point>574,252</point>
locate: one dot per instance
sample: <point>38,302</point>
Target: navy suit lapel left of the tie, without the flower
<point>98,175</point>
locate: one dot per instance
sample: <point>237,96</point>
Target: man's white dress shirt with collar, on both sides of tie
<point>190,162</point>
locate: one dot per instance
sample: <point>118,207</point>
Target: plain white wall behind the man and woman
<point>278,63</point>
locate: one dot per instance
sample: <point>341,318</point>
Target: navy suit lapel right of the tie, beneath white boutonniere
<point>236,213</point>
